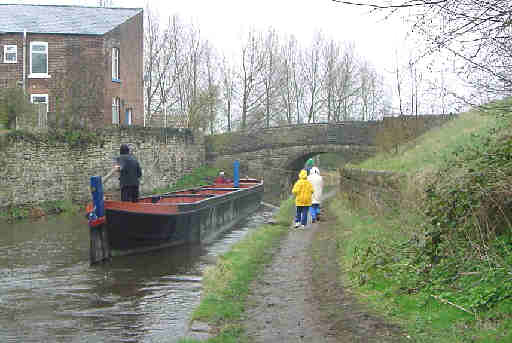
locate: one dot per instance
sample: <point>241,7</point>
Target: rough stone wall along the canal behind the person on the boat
<point>36,169</point>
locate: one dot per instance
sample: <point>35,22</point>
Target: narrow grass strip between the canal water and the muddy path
<point>226,285</point>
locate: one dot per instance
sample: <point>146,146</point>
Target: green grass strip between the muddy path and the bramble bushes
<point>389,282</point>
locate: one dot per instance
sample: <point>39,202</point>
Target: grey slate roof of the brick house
<point>63,19</point>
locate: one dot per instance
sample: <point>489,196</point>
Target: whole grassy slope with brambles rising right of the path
<point>440,262</point>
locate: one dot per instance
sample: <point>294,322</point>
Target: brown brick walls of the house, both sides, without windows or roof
<point>80,88</point>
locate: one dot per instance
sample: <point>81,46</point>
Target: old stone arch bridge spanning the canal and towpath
<point>277,154</point>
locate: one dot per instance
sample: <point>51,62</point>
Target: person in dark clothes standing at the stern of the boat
<point>129,174</point>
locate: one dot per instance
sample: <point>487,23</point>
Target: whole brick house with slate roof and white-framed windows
<point>84,63</point>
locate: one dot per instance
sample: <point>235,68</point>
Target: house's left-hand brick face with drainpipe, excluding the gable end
<point>76,66</point>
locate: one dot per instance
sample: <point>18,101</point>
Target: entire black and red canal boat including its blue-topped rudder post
<point>187,216</point>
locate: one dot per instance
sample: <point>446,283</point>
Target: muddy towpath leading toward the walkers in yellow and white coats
<point>301,298</point>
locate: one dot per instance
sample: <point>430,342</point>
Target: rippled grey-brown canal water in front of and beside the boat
<point>50,293</point>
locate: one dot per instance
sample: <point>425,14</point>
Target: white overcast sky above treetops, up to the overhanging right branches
<point>223,22</point>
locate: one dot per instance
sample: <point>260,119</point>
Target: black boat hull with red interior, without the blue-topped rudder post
<point>138,228</point>
